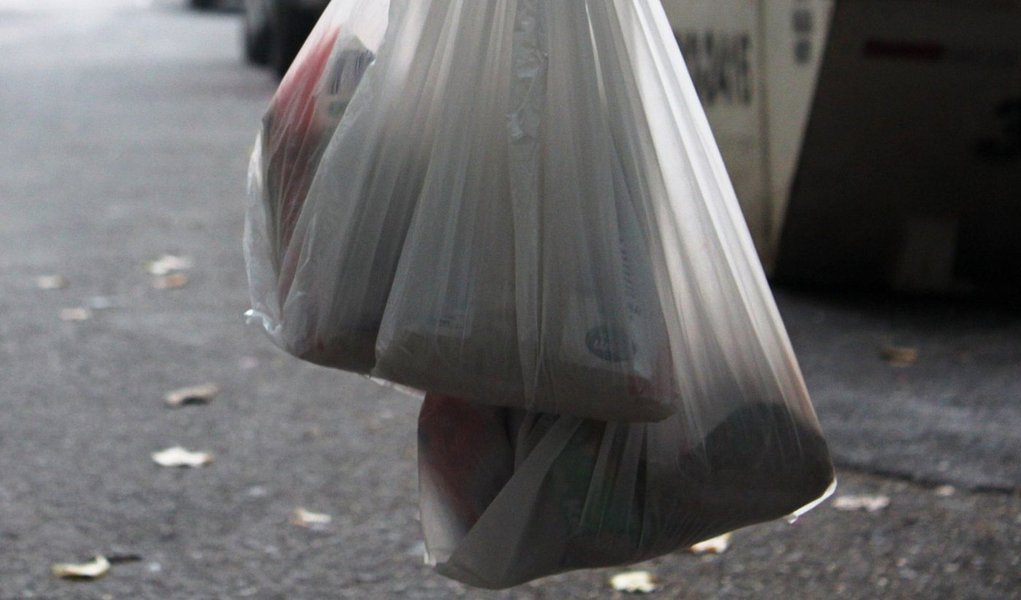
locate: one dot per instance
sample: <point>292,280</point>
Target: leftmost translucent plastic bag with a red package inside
<point>313,281</point>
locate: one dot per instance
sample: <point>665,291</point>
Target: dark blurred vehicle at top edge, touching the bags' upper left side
<point>275,30</point>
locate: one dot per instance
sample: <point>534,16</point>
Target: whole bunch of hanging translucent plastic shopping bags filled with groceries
<point>519,207</point>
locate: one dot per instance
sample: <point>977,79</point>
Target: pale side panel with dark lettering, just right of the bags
<point>756,65</point>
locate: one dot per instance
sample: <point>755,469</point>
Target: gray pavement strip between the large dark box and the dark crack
<point>952,416</point>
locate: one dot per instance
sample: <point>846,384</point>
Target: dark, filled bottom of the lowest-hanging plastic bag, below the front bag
<point>509,496</point>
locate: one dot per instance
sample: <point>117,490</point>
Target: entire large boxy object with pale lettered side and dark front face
<point>871,142</point>
